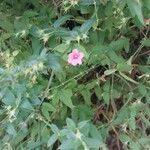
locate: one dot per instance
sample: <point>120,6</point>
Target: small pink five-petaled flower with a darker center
<point>75,57</point>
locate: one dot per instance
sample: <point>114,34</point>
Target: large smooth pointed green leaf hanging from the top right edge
<point>135,7</point>
